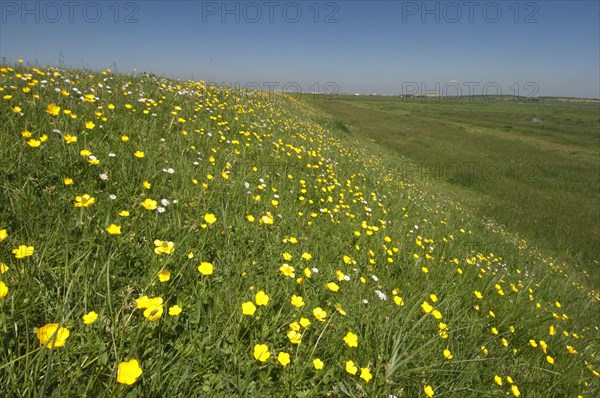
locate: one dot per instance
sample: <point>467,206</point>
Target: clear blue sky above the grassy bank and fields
<point>359,46</point>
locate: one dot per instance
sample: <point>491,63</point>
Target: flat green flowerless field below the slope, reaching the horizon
<point>532,166</point>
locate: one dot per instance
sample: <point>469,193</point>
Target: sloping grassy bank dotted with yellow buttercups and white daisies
<point>165,238</point>
